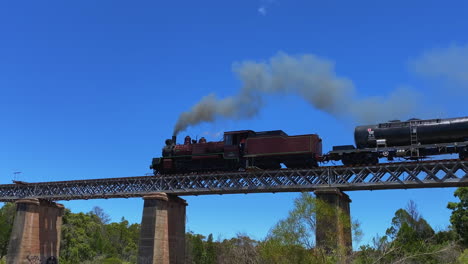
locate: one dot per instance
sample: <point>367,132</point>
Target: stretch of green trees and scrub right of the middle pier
<point>409,239</point>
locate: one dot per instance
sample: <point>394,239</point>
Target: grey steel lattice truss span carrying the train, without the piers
<point>442,173</point>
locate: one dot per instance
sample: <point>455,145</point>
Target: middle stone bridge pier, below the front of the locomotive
<point>162,237</point>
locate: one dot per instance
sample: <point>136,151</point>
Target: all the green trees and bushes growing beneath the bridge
<point>92,238</point>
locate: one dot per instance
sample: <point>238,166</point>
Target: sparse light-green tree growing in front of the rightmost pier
<point>293,239</point>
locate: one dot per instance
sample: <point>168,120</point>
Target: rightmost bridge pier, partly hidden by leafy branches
<point>333,223</point>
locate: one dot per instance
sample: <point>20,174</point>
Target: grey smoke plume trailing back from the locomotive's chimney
<point>308,76</point>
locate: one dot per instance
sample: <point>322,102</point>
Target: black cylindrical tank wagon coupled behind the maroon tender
<point>414,139</point>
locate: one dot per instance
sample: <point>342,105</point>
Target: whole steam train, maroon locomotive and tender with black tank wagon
<point>413,139</point>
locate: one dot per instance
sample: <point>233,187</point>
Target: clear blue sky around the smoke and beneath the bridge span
<point>91,89</point>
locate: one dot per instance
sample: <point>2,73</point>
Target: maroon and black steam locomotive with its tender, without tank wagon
<point>240,150</point>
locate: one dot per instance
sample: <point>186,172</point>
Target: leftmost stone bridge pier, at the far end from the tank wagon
<point>35,237</point>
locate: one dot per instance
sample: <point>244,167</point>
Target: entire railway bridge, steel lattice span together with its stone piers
<point>36,231</point>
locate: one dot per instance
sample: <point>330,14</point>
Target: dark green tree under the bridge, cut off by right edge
<point>459,217</point>
